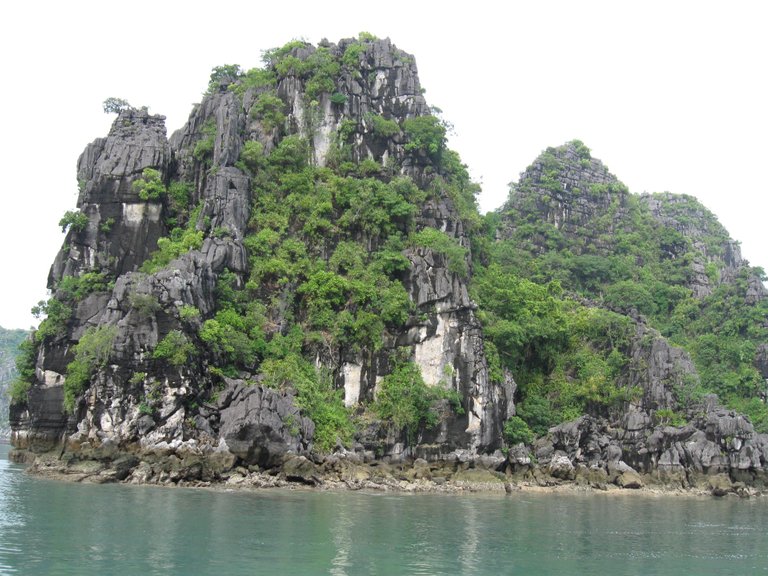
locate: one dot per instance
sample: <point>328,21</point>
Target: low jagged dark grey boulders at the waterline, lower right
<point>716,442</point>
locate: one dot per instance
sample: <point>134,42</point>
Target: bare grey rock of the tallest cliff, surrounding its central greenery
<point>142,401</point>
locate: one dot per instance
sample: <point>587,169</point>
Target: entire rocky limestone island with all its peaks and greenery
<point>298,281</point>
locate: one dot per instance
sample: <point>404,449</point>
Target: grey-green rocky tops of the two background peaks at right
<point>567,200</point>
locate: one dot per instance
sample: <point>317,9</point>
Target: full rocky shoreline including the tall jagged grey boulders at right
<point>716,453</point>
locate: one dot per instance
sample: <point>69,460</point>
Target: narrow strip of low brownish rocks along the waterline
<point>488,475</point>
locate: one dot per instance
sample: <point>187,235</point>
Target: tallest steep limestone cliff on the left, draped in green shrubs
<point>238,293</point>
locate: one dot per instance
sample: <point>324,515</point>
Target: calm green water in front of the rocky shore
<point>60,528</point>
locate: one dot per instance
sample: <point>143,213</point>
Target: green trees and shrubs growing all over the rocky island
<point>327,250</point>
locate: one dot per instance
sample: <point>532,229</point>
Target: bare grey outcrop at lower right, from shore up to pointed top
<point>635,439</point>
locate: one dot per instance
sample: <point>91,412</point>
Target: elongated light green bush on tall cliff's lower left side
<point>91,354</point>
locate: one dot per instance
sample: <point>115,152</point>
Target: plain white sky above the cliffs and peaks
<point>670,95</point>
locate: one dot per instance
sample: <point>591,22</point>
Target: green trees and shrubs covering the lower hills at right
<point>622,258</point>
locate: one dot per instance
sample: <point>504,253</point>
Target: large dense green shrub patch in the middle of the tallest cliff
<point>305,235</point>
